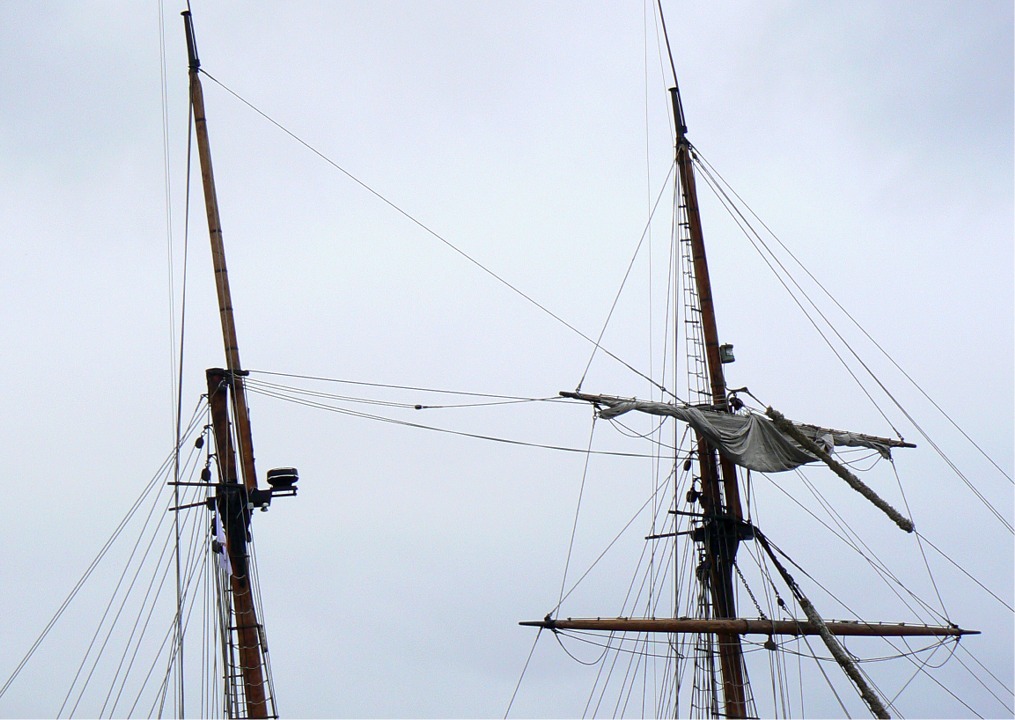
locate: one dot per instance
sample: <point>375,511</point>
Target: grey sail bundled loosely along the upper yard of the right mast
<point>751,441</point>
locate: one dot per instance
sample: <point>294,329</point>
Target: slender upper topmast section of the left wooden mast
<point>241,414</point>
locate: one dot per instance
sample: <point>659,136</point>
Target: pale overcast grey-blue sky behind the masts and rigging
<point>875,139</point>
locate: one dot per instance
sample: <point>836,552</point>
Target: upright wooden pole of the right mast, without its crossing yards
<point>720,547</point>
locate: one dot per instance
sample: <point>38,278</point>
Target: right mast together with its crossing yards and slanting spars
<point>722,527</point>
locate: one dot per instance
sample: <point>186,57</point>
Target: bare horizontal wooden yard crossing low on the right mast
<point>743,626</point>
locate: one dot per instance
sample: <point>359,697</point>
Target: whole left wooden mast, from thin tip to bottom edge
<point>233,499</point>
